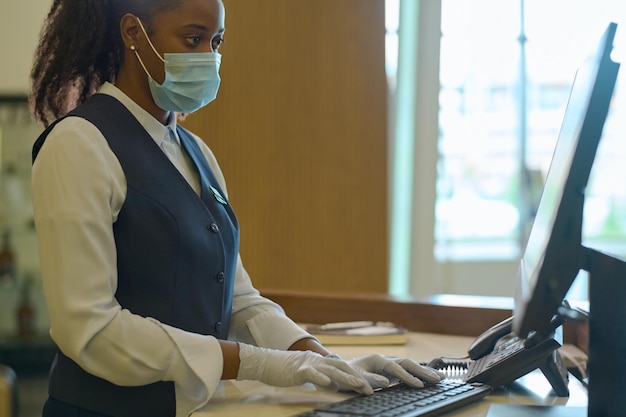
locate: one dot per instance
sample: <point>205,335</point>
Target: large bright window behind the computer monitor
<point>504,78</point>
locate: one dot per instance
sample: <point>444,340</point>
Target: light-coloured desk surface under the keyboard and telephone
<point>248,398</point>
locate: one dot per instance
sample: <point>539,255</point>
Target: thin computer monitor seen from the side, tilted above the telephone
<point>554,253</point>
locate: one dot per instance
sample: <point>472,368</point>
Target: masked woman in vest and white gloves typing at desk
<point>149,303</point>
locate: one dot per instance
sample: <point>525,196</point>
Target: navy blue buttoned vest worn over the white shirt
<point>176,251</point>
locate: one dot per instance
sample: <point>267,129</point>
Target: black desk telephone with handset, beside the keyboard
<point>497,364</point>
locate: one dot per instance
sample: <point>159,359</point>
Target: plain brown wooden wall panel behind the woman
<point>299,128</point>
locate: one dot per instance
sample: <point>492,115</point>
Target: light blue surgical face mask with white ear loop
<point>191,79</point>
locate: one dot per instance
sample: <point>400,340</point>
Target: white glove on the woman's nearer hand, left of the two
<point>290,368</point>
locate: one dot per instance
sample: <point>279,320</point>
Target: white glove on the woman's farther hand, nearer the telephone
<point>380,371</point>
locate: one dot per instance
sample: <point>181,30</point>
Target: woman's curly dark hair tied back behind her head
<point>80,48</point>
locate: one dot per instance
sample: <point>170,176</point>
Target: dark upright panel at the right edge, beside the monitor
<point>607,334</point>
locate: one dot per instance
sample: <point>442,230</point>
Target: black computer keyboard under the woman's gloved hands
<point>403,401</point>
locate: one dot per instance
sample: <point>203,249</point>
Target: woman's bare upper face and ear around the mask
<point>195,26</point>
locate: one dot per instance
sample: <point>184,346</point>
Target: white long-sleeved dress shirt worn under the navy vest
<point>78,189</point>
